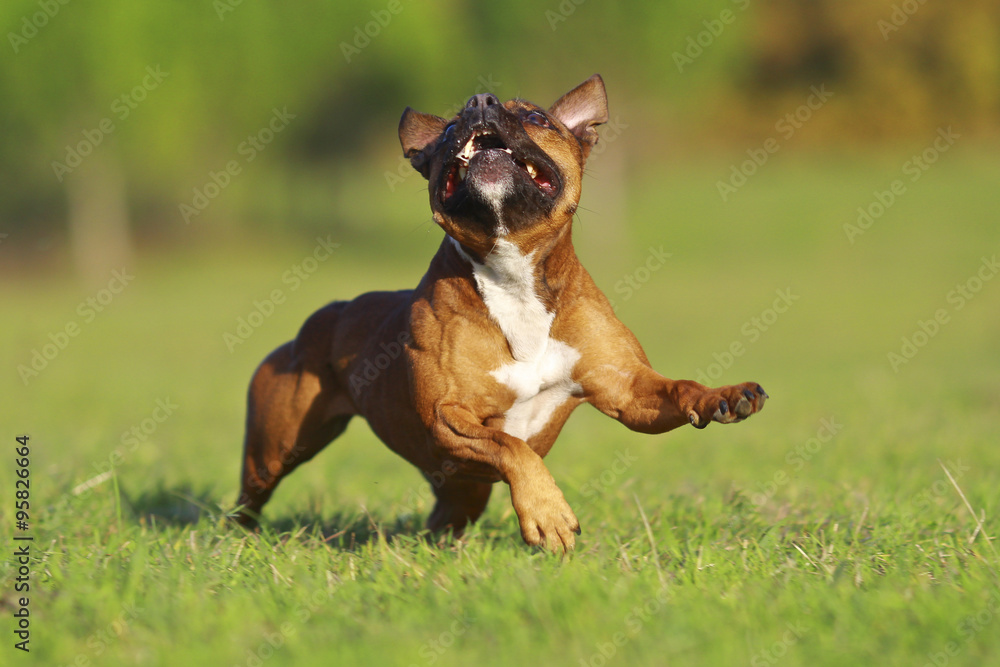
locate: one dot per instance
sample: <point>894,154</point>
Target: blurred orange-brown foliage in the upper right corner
<point>900,68</point>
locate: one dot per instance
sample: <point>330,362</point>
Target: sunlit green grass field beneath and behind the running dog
<point>823,531</point>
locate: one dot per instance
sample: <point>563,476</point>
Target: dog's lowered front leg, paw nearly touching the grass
<point>546,518</point>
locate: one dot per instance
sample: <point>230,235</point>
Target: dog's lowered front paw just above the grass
<point>546,518</point>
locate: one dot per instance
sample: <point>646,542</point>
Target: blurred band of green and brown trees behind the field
<point>117,114</point>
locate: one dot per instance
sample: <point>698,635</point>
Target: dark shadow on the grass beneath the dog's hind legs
<point>186,506</point>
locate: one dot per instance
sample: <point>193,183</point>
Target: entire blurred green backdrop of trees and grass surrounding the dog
<point>822,174</point>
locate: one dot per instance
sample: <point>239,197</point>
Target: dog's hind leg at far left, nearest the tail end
<point>295,408</point>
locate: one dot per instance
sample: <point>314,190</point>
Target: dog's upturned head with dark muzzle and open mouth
<point>505,169</point>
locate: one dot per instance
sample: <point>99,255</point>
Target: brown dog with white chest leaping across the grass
<point>471,375</point>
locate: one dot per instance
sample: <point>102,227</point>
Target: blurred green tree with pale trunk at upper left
<point>103,96</point>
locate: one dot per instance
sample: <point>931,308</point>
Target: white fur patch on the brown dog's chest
<point>541,373</point>
